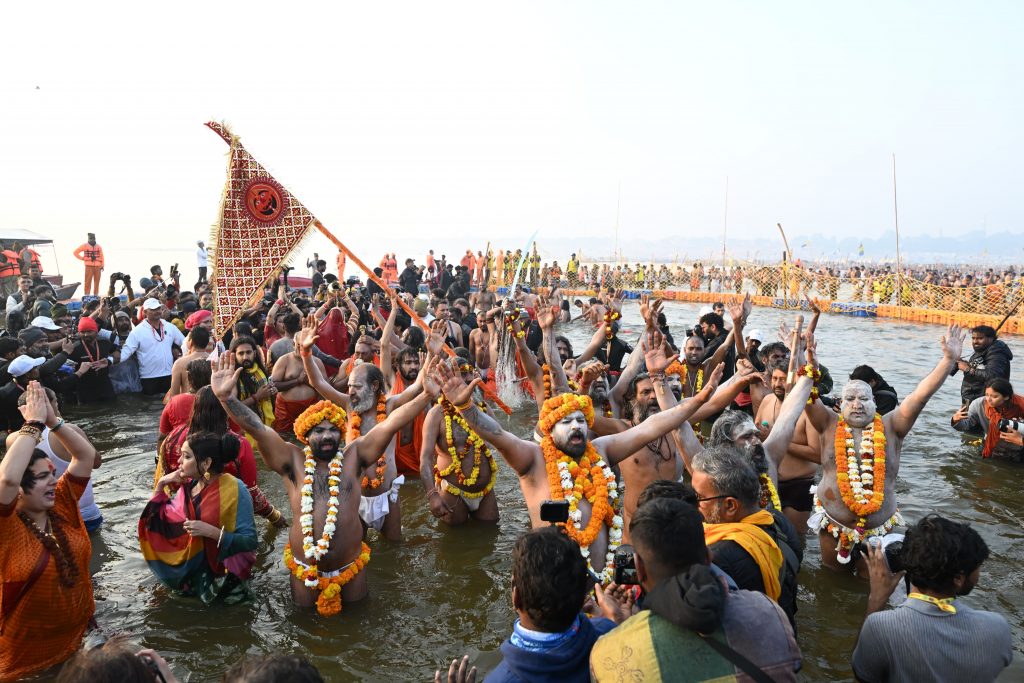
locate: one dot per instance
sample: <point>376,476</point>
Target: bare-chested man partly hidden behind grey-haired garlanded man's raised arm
<point>800,464</point>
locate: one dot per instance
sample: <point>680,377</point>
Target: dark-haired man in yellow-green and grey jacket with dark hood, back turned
<point>693,627</point>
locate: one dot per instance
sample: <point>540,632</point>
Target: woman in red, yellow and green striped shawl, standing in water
<point>202,541</point>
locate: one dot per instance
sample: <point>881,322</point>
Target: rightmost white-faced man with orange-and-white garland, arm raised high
<point>861,453</point>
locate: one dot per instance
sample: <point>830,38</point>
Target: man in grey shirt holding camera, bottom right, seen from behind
<point>932,636</point>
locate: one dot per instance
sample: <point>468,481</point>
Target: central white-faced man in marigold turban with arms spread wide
<point>567,465</point>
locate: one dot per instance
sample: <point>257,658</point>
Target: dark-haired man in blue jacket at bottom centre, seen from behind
<point>551,639</point>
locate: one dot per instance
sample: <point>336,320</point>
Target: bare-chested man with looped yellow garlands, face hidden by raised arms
<point>459,476</point>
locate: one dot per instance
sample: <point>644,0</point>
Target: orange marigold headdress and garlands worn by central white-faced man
<point>590,479</point>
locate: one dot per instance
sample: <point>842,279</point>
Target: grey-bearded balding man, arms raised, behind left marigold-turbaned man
<point>368,405</point>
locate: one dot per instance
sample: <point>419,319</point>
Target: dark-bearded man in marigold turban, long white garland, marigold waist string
<point>326,553</point>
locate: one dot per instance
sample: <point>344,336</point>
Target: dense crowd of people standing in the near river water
<point>671,483</point>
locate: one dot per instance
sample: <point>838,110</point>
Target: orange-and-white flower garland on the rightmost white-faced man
<point>862,482</point>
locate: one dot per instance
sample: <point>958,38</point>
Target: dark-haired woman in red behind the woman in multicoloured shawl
<point>209,416</point>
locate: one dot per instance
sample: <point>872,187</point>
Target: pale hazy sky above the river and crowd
<point>404,126</point>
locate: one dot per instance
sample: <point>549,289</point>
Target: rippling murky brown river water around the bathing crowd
<point>444,592</point>
